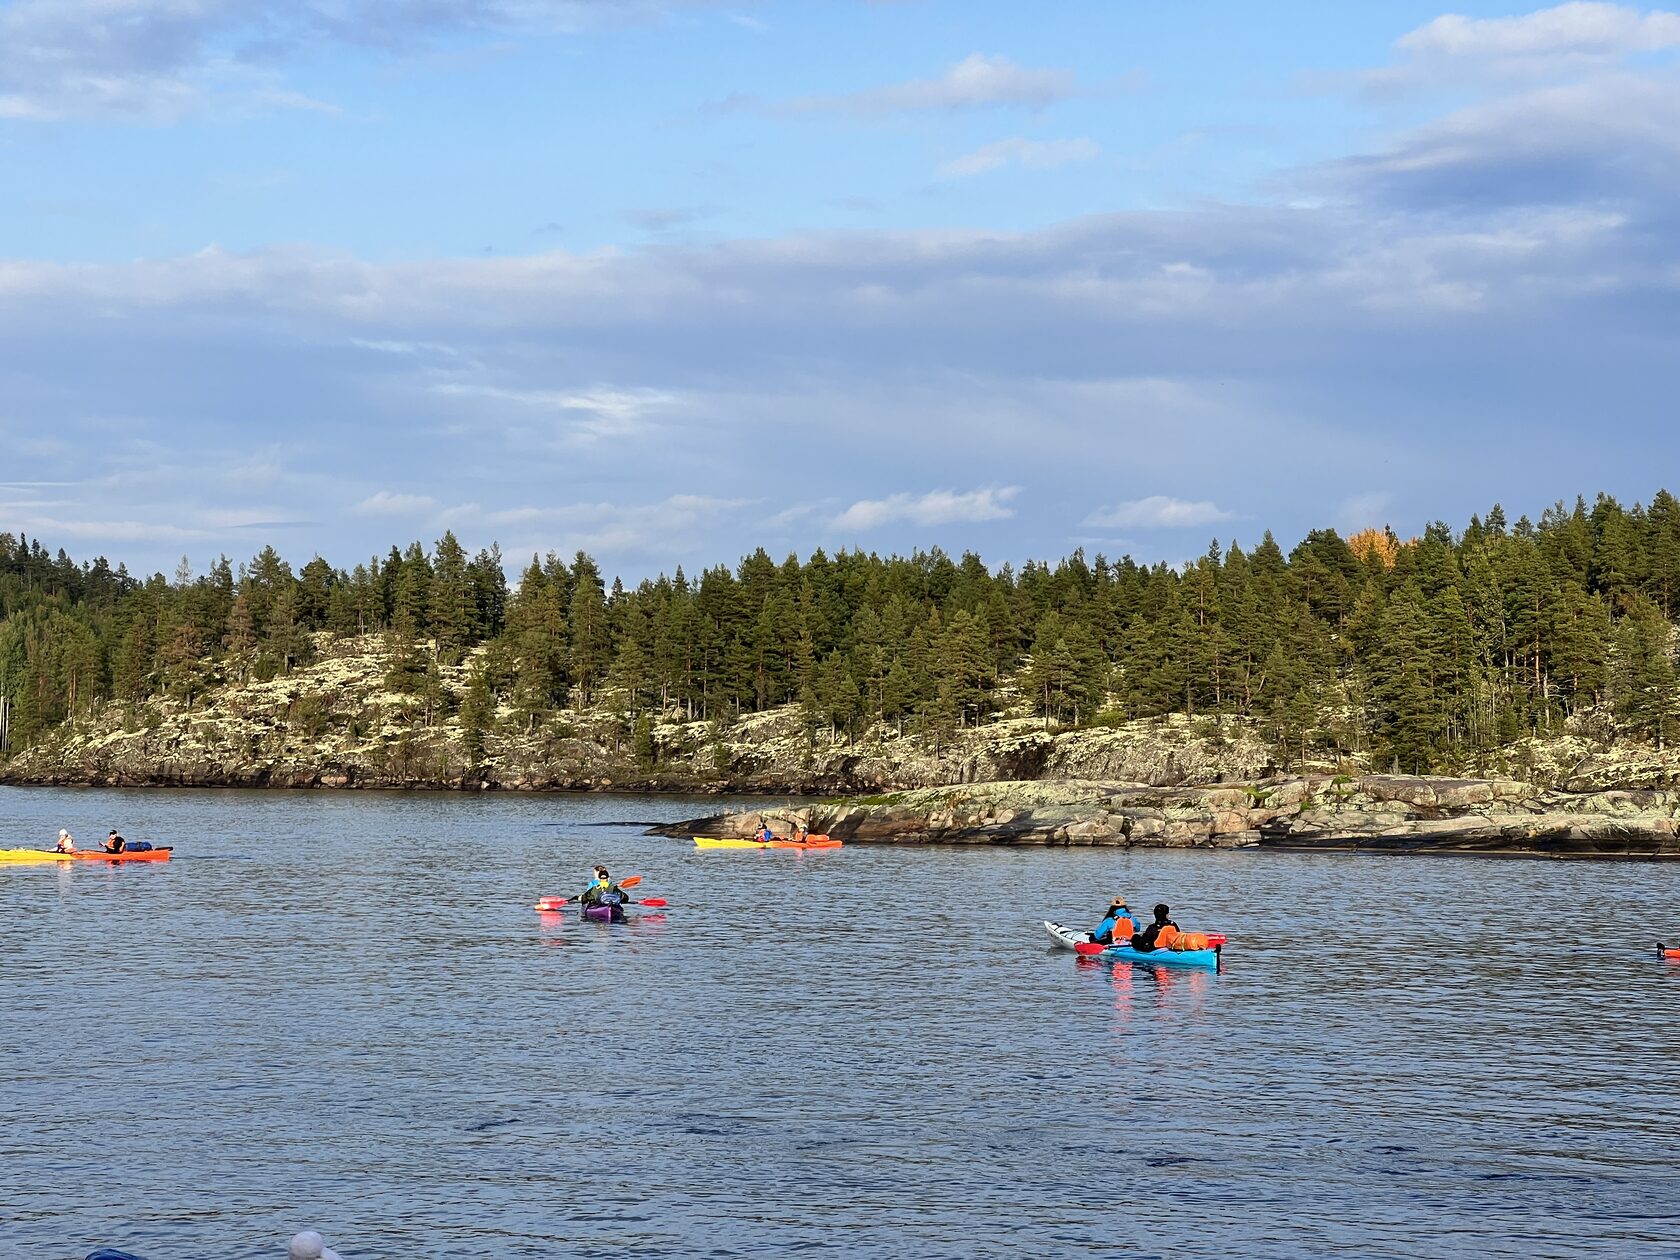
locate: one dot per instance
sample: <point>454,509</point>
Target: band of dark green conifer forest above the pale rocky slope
<point>1417,654</point>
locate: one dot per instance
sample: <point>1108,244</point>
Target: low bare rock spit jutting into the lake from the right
<point>1377,814</point>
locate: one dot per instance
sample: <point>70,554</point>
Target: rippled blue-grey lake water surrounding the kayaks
<point>340,1012</point>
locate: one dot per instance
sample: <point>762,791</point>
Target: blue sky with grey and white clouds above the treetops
<point>669,281</point>
